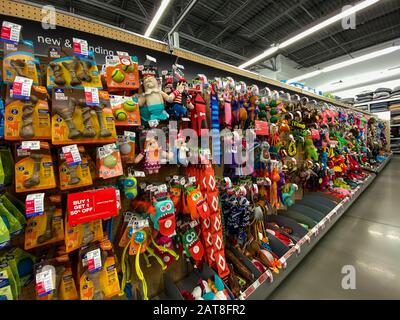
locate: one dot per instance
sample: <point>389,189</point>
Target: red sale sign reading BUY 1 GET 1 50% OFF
<point>91,205</point>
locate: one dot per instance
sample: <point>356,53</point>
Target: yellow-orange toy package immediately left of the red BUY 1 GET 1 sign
<point>44,229</point>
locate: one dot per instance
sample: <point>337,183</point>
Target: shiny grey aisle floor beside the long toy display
<point>367,237</point>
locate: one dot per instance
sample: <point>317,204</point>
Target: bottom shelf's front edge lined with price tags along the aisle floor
<point>263,287</point>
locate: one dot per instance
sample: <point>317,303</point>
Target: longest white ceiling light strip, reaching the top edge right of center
<point>361,5</point>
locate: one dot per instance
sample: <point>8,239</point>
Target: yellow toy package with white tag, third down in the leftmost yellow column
<point>34,169</point>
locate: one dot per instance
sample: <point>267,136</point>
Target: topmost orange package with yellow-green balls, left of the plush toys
<point>122,73</point>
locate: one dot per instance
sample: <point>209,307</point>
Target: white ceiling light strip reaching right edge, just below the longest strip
<point>346,63</point>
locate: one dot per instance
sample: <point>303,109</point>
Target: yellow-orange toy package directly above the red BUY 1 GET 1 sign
<point>74,175</point>
